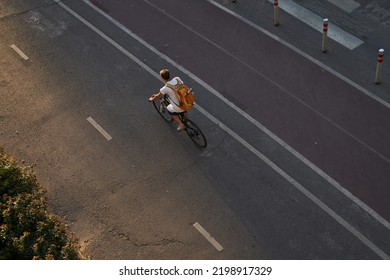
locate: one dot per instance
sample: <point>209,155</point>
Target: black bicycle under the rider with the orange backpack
<point>192,130</point>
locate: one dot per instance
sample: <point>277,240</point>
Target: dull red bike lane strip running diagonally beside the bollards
<point>338,128</point>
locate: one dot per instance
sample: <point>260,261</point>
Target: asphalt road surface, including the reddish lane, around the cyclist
<point>297,163</point>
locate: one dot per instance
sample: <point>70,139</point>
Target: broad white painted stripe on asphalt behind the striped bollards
<point>334,32</point>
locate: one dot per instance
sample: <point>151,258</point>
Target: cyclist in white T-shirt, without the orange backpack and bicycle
<point>173,108</point>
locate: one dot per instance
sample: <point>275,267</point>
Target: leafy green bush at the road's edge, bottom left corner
<point>27,230</point>
